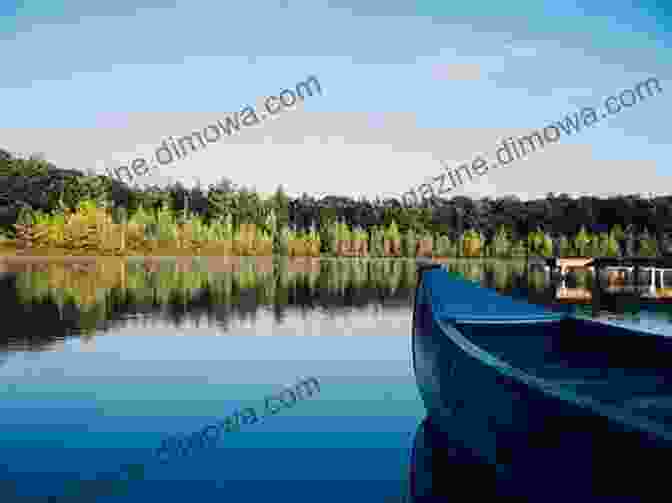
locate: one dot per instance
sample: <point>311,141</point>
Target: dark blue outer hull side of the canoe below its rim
<point>531,438</point>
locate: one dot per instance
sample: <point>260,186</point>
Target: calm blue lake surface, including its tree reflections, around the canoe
<point>101,362</point>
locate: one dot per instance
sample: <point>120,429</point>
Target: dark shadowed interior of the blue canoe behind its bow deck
<point>610,364</point>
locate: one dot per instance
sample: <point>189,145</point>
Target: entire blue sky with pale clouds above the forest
<point>407,88</point>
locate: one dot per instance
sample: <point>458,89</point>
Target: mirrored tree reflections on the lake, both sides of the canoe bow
<point>52,299</point>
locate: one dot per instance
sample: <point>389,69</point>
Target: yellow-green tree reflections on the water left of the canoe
<point>51,300</point>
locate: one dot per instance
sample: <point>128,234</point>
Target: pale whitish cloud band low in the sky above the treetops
<point>344,154</point>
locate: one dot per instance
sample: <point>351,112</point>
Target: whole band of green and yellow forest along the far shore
<point>45,206</point>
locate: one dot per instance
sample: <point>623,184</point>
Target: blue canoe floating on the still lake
<point>548,405</point>
